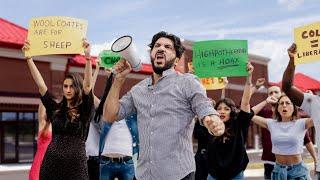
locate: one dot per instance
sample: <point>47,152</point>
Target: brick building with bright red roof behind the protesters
<point>19,95</point>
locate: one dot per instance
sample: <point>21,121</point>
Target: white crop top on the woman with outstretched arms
<point>287,137</point>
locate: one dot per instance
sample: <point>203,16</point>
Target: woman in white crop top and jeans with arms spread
<point>287,134</point>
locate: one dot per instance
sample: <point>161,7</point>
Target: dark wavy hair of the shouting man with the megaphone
<point>175,39</point>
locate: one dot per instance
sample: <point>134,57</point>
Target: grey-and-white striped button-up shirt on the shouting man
<point>165,112</point>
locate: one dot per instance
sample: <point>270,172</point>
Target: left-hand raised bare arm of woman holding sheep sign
<point>36,75</point>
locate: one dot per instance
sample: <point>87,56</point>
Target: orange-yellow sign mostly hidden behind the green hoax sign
<point>210,83</point>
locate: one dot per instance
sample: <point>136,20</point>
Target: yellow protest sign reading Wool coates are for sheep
<point>56,35</point>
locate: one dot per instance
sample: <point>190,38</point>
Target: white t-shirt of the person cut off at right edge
<point>311,105</point>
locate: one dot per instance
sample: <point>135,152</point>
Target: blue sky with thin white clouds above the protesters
<point>267,25</point>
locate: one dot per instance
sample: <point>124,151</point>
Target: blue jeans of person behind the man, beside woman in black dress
<point>110,170</point>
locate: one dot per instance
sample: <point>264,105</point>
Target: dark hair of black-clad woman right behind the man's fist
<point>233,115</point>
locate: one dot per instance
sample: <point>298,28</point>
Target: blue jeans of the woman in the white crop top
<point>295,171</point>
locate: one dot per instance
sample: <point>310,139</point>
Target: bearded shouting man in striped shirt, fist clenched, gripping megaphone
<point>165,104</point>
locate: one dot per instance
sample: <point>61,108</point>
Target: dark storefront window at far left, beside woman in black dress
<point>19,130</point>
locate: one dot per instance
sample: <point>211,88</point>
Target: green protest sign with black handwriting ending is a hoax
<point>220,58</point>
